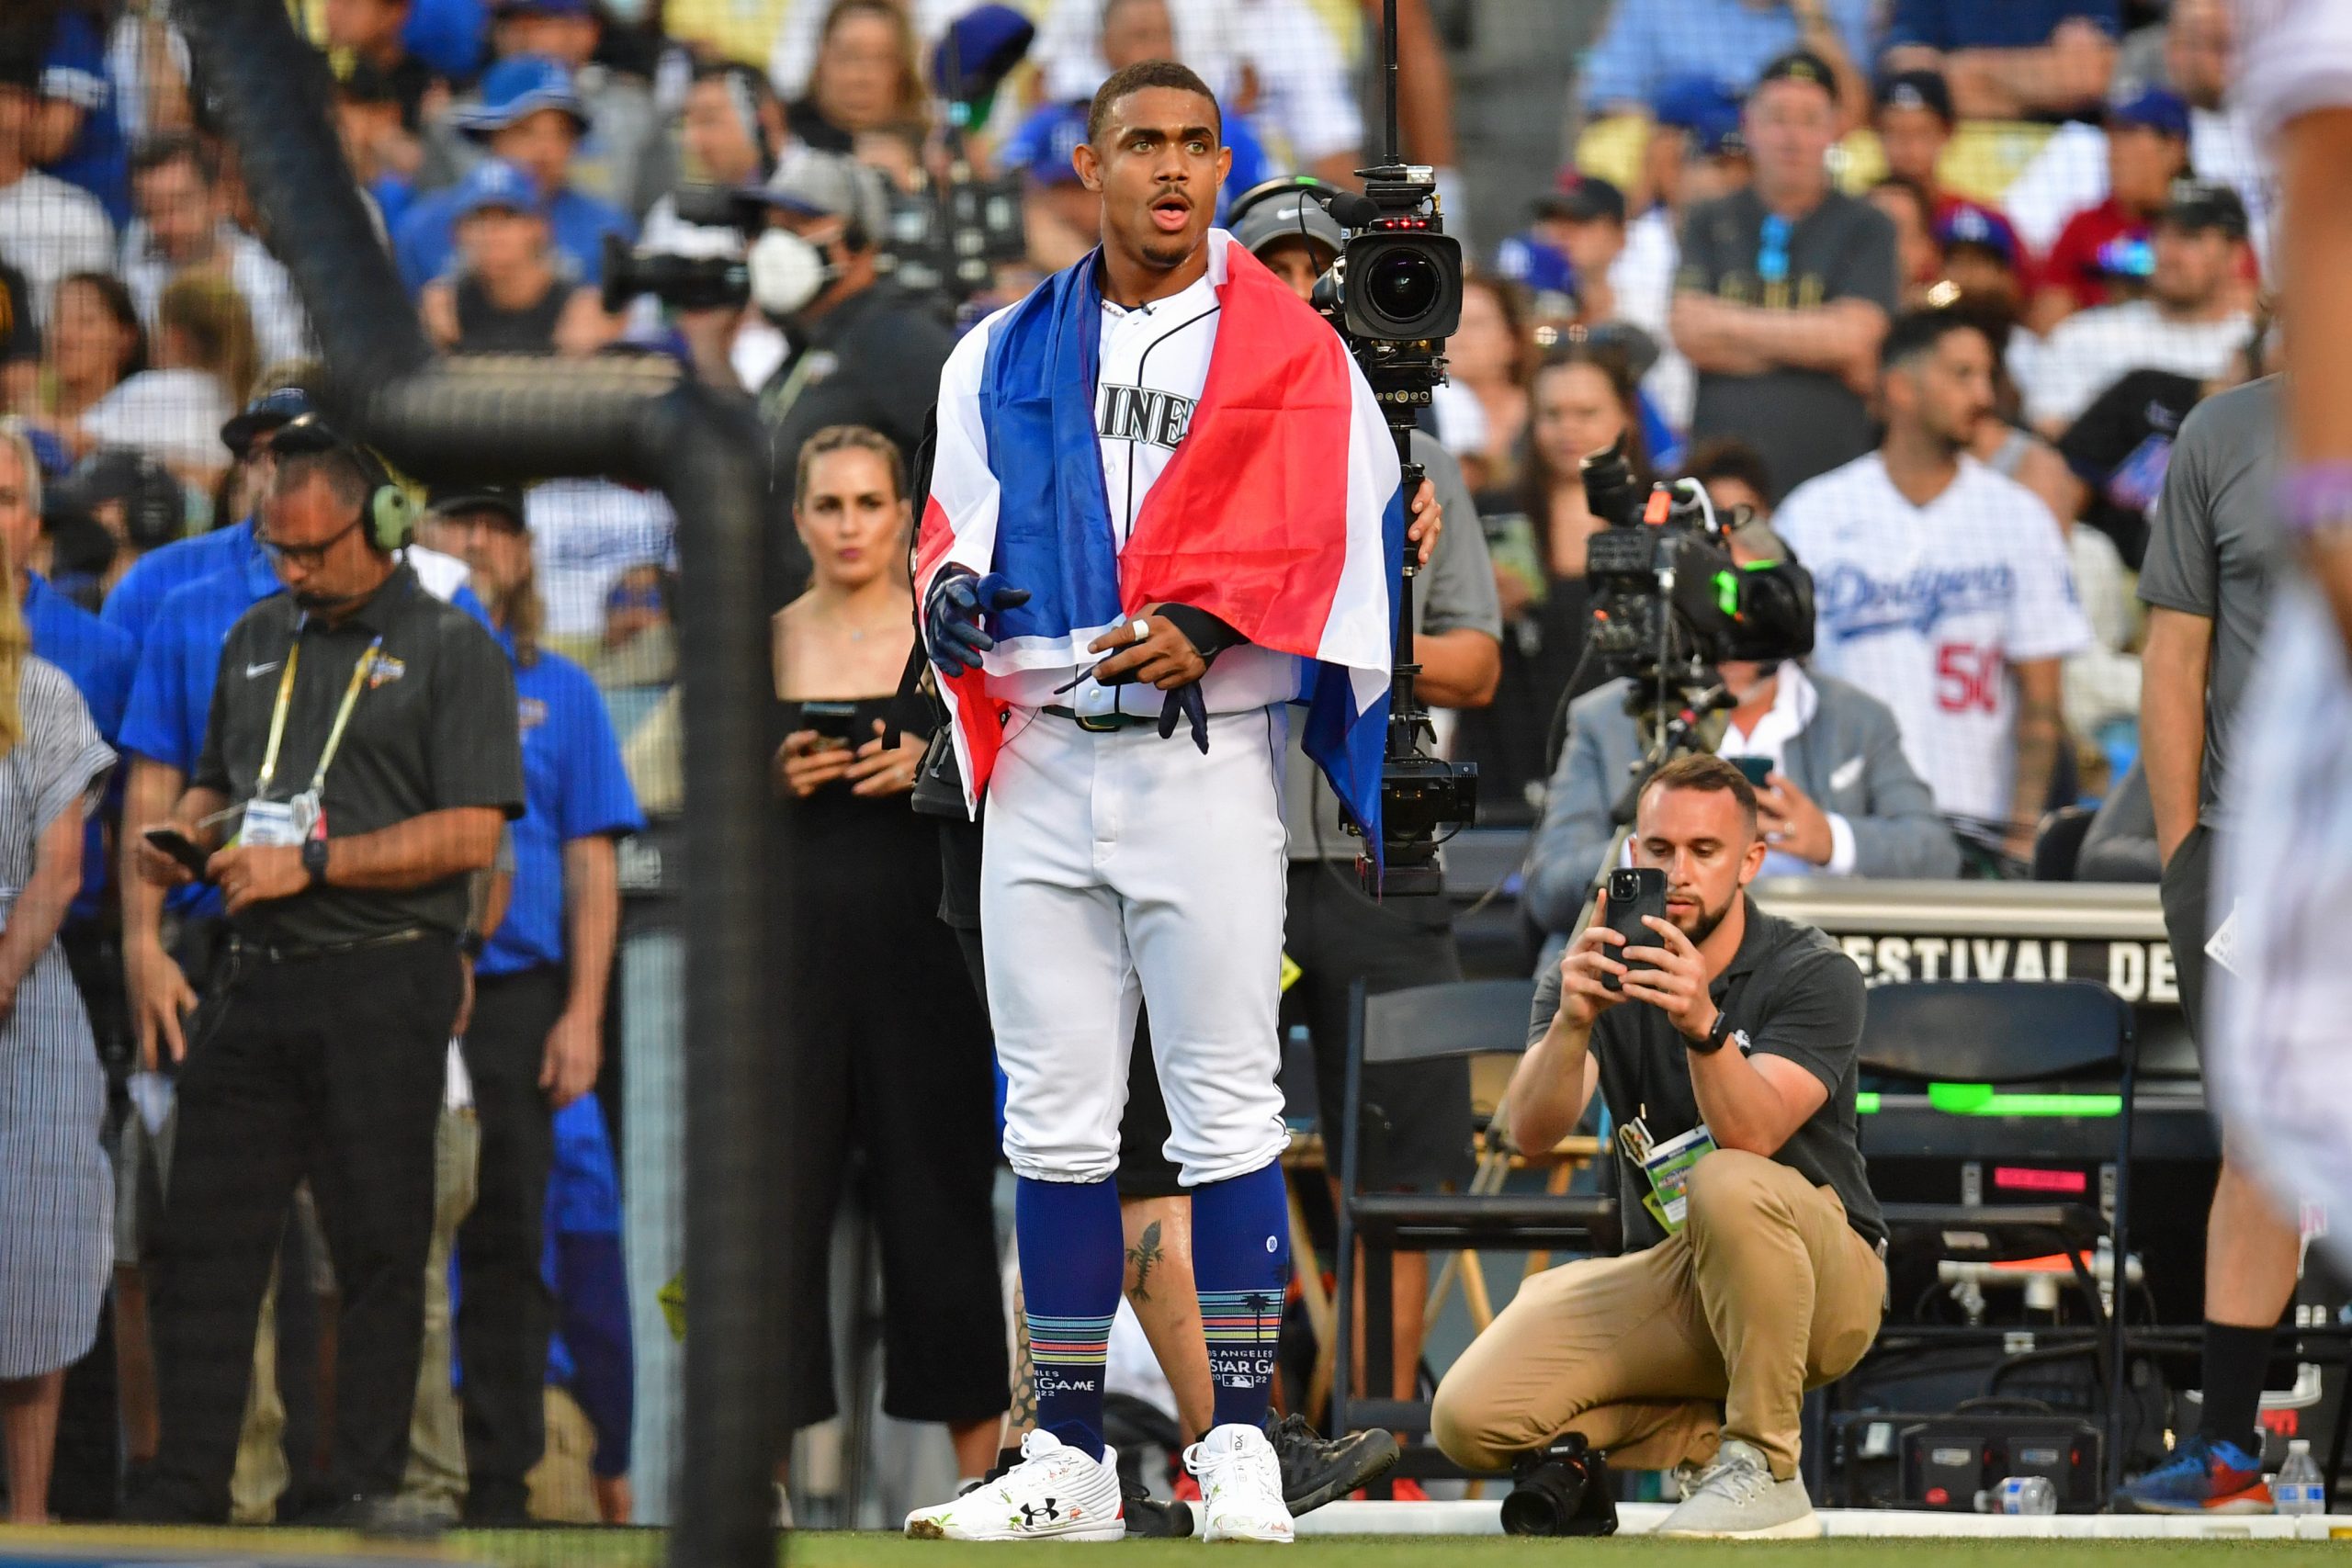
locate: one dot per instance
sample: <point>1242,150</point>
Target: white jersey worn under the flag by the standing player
<point>1151,370</point>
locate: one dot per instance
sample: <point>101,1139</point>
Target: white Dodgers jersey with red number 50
<point>1925,608</point>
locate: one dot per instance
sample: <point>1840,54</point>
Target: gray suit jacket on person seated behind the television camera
<point>1850,760</point>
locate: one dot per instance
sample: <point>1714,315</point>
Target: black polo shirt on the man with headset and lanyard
<point>434,730</point>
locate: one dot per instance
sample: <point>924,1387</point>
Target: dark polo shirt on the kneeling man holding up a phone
<point>1796,996</point>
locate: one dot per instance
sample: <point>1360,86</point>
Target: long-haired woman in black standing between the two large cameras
<point>1537,532</point>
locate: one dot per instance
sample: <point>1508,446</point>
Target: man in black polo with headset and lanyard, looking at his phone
<point>359,768</point>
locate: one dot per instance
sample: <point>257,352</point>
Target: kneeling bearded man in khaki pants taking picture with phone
<point>1692,1348</point>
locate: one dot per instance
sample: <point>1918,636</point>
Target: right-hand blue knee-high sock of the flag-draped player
<point>1243,1264</point>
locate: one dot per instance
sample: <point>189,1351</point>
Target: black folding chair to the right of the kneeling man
<point>2012,1033</point>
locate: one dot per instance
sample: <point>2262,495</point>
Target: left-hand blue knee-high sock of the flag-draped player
<point>1071,1264</point>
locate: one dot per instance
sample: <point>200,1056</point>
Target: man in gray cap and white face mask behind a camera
<point>862,351</point>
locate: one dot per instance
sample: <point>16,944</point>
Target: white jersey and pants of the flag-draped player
<point>1121,866</point>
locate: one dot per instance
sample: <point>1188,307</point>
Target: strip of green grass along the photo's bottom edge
<point>846,1550</point>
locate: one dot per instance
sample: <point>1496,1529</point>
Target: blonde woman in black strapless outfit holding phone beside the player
<point>895,1050</point>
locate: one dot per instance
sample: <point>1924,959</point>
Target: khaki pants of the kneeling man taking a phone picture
<point>1659,1355</point>
